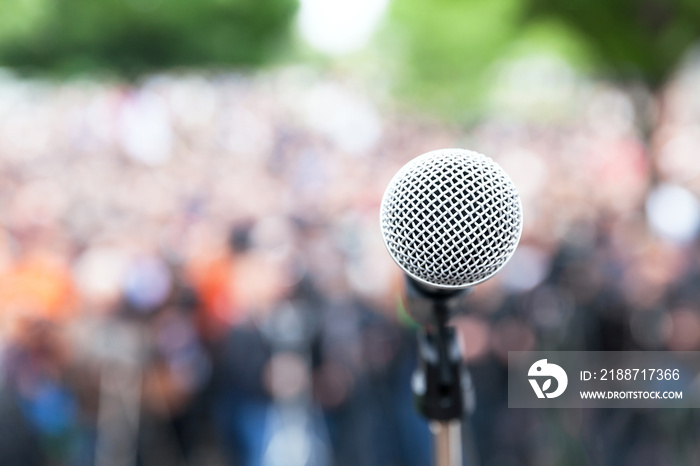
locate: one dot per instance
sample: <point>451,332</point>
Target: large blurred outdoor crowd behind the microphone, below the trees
<point>191,269</point>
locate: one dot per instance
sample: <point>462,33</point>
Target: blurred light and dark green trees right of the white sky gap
<point>449,47</point>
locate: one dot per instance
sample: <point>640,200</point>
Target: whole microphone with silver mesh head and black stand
<point>450,219</point>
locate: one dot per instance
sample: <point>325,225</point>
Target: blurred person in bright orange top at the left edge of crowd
<point>38,299</point>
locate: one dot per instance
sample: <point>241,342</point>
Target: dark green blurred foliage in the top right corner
<point>642,39</point>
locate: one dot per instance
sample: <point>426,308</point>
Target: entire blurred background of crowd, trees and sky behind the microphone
<point>191,268</point>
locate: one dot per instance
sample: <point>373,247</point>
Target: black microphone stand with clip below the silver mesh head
<point>438,381</point>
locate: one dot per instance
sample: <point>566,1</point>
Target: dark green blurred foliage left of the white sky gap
<point>135,36</point>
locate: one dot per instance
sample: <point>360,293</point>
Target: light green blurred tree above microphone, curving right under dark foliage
<point>448,48</point>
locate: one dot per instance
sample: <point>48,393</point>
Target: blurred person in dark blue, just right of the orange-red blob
<point>241,402</point>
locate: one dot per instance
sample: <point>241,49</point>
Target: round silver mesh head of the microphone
<point>451,218</point>
